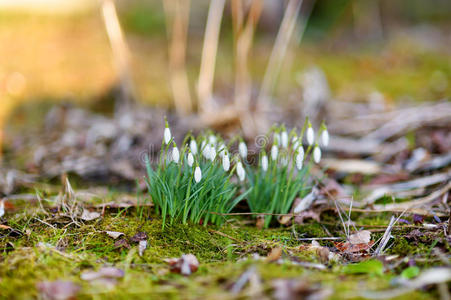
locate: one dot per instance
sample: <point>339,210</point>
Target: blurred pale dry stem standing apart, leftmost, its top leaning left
<point>120,49</point>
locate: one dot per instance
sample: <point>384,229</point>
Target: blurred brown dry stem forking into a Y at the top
<point>243,38</point>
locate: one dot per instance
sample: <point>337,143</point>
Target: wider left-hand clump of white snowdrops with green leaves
<point>193,183</point>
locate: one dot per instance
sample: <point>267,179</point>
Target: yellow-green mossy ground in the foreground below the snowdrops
<point>58,251</point>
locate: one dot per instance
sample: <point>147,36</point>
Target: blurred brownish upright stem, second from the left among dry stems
<point>177,20</point>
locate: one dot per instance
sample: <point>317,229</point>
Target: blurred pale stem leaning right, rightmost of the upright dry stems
<point>280,48</point>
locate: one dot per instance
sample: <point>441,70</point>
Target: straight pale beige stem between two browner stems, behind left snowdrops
<point>209,51</point>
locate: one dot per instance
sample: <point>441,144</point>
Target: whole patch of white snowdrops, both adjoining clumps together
<point>202,182</point>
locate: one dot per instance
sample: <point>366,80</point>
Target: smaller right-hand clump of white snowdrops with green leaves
<point>284,173</point>
